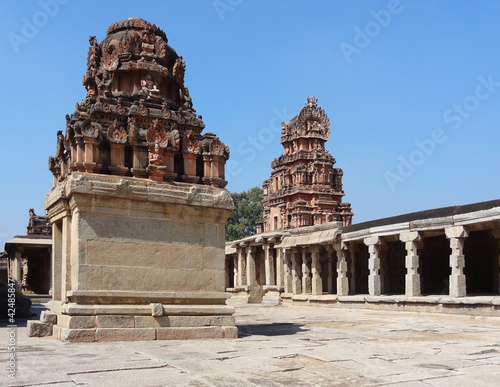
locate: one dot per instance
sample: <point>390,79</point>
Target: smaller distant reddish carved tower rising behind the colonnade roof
<point>304,188</point>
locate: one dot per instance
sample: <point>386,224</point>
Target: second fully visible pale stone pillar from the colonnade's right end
<point>411,240</point>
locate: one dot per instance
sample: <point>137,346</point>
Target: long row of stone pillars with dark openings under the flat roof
<point>360,264</point>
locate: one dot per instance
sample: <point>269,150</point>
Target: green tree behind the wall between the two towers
<point>246,214</point>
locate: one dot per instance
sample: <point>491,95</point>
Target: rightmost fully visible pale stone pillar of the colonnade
<point>457,236</point>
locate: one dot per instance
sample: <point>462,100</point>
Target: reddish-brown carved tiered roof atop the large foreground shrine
<point>137,118</point>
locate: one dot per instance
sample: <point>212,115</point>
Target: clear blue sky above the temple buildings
<point>412,89</point>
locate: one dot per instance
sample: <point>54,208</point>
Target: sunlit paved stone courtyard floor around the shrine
<point>279,346</point>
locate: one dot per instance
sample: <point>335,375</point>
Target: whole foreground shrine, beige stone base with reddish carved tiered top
<point>138,206</point>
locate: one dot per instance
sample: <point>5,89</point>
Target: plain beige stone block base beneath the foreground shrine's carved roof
<point>137,260</point>
